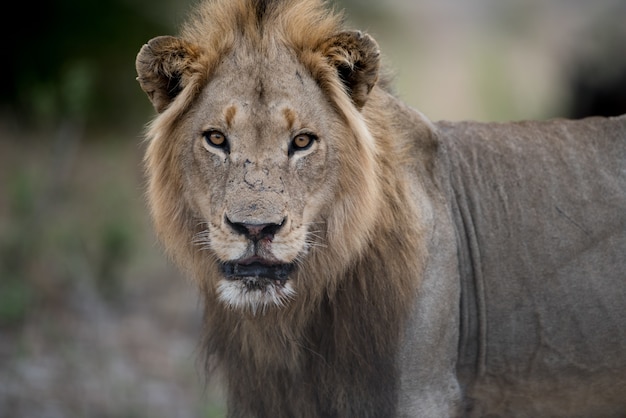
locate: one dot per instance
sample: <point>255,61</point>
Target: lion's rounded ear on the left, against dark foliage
<point>163,68</point>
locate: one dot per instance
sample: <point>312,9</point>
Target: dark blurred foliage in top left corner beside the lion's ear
<point>74,59</point>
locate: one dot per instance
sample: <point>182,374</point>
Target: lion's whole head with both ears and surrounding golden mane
<point>259,162</point>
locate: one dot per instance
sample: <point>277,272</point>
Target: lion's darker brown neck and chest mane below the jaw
<point>337,359</point>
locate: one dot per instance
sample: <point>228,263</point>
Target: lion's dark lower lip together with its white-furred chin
<point>256,287</point>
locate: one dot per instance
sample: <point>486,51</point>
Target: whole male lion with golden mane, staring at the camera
<point>357,260</point>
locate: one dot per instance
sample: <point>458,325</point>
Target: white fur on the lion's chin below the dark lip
<point>237,295</point>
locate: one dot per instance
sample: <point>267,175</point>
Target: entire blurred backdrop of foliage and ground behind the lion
<point>94,320</point>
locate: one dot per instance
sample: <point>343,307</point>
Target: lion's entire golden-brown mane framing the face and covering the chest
<point>333,353</point>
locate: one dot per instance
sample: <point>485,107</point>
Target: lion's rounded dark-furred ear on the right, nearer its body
<point>357,58</point>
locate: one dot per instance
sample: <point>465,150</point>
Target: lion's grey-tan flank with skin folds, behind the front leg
<point>539,210</point>
